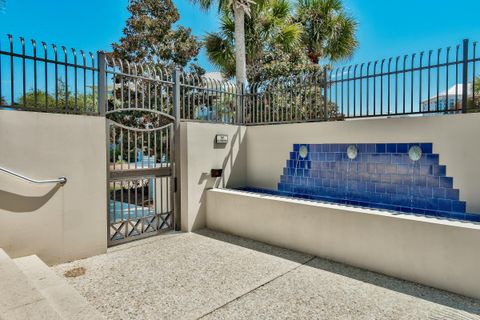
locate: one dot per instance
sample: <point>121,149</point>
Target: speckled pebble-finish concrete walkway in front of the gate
<point>208,275</point>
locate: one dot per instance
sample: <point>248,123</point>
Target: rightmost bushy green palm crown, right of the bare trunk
<point>328,32</point>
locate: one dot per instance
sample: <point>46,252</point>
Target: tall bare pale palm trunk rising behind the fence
<point>240,58</point>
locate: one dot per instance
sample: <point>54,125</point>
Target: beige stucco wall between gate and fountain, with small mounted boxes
<point>199,154</point>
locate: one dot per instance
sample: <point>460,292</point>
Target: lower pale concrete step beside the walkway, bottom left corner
<point>64,299</point>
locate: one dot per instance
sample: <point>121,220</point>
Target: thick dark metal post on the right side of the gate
<point>175,152</point>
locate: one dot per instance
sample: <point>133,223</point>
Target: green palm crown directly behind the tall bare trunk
<point>270,35</point>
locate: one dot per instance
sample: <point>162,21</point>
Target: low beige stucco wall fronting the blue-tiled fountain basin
<point>437,253</point>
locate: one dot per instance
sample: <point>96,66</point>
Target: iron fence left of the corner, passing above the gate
<point>60,80</point>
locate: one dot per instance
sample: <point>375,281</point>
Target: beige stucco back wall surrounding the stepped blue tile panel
<point>454,137</point>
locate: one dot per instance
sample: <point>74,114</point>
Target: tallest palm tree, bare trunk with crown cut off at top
<point>240,8</point>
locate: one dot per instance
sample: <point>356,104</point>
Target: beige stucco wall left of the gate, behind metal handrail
<point>56,223</point>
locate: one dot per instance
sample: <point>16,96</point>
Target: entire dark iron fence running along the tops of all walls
<point>438,81</point>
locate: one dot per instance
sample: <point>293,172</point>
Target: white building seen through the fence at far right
<point>450,101</point>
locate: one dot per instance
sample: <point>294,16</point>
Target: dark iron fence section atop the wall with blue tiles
<point>439,81</point>
